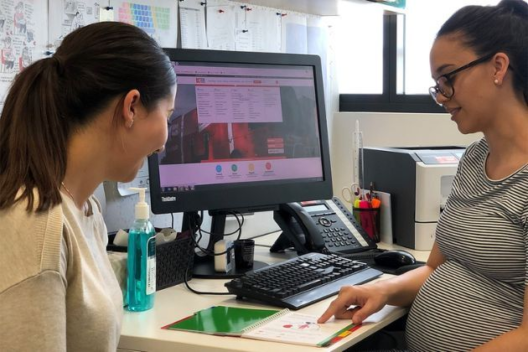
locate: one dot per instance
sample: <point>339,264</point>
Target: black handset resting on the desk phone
<point>299,227</point>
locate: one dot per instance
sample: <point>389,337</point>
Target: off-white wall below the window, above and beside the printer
<point>388,130</point>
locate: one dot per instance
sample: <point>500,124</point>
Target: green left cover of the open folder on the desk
<point>222,320</point>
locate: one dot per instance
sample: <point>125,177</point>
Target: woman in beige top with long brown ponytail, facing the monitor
<point>91,112</point>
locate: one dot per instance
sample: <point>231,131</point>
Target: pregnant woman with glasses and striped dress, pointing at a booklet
<point>472,294</point>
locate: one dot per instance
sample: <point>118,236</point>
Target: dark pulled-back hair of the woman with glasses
<point>492,29</point>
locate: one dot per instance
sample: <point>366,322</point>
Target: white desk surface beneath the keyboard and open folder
<point>142,331</point>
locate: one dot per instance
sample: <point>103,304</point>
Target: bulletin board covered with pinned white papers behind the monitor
<point>33,29</point>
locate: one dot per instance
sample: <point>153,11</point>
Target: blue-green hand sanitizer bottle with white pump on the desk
<point>141,261</point>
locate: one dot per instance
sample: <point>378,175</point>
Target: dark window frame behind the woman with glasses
<point>389,100</point>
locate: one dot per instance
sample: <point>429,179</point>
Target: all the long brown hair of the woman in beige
<point>56,96</point>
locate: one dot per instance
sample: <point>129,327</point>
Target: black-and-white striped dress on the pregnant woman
<point>477,294</point>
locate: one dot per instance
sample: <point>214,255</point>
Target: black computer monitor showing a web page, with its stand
<point>248,133</point>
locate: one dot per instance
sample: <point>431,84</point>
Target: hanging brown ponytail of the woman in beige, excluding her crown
<point>31,136</point>
